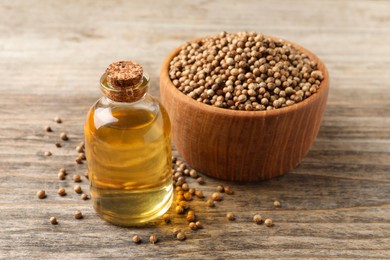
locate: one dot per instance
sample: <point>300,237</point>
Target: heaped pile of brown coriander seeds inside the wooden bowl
<point>244,71</point>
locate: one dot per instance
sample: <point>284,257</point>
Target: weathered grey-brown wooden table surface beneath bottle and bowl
<point>336,203</point>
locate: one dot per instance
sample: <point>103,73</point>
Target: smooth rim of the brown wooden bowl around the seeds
<point>323,88</point>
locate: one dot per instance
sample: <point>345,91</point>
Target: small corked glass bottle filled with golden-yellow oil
<point>128,149</point>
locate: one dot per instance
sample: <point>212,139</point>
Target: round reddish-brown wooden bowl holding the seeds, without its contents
<point>242,145</point>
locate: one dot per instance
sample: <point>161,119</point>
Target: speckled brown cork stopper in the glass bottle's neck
<point>124,74</point>
